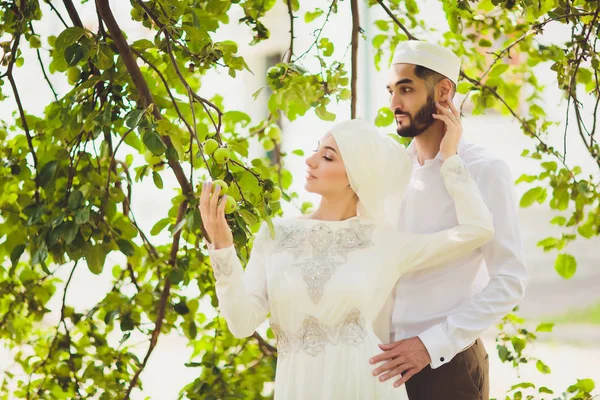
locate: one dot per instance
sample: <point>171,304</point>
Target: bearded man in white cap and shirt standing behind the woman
<point>439,313</point>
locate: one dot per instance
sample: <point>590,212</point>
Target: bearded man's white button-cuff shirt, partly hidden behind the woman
<point>450,306</point>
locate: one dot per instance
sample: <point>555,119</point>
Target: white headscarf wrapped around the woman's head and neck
<point>378,169</point>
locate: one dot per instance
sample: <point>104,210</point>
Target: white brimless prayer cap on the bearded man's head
<point>429,55</point>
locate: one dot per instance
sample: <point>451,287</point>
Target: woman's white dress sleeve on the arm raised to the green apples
<point>242,294</point>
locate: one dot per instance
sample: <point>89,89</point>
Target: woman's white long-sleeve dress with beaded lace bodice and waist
<point>325,283</point>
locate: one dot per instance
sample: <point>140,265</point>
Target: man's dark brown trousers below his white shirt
<point>466,377</point>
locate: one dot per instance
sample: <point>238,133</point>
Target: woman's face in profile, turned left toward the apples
<point>326,174</point>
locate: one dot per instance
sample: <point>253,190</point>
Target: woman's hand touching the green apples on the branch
<point>213,216</point>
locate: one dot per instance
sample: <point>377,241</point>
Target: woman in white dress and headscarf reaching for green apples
<point>325,278</point>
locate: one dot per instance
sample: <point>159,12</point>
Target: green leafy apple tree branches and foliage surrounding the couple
<point>66,175</point>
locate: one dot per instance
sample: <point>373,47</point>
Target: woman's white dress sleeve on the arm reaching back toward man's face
<point>475,228</point>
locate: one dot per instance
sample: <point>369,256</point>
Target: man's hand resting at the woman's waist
<point>404,357</point>
